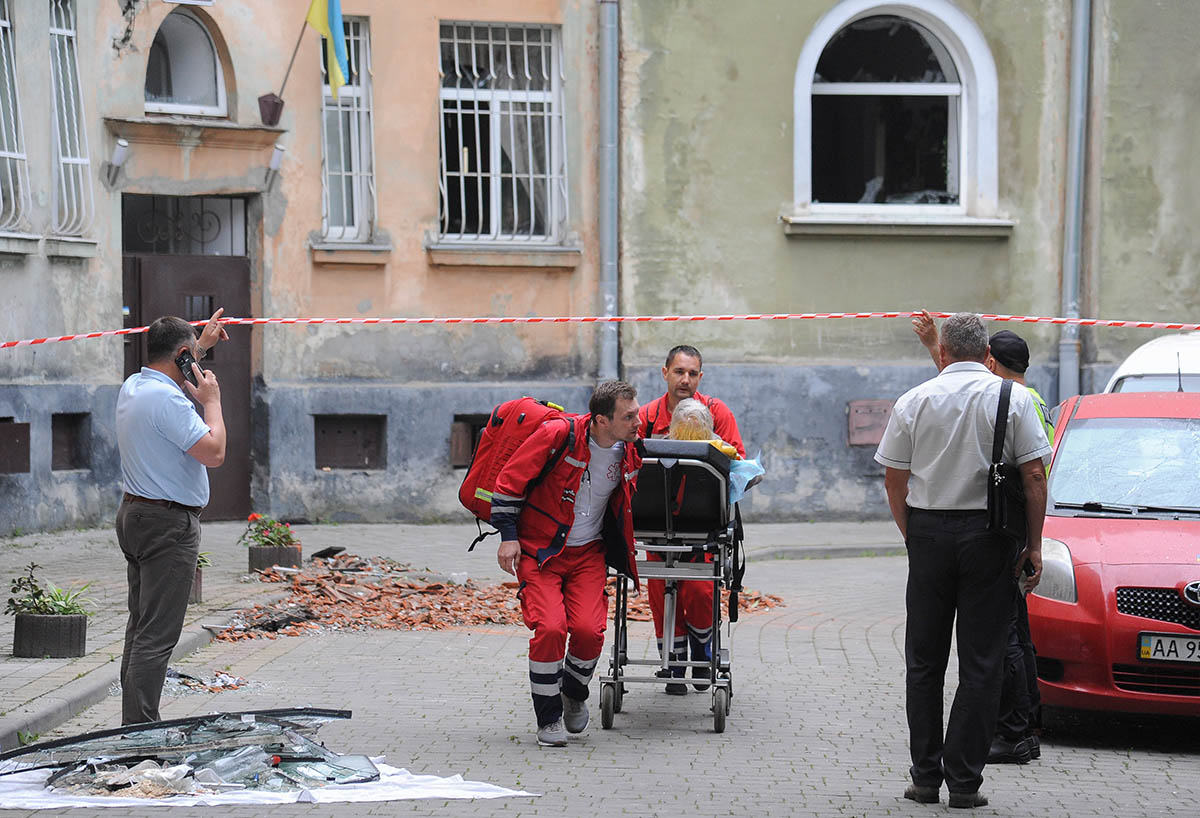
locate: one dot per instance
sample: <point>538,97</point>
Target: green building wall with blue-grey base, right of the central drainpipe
<point>707,118</point>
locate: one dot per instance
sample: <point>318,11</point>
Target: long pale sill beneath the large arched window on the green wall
<point>845,225</point>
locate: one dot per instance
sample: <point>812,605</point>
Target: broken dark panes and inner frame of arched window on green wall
<point>886,101</point>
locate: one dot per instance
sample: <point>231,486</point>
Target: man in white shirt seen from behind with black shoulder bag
<point>937,450</point>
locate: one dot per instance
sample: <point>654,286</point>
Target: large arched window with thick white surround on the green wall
<point>896,113</point>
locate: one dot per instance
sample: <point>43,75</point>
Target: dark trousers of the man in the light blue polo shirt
<point>160,548</point>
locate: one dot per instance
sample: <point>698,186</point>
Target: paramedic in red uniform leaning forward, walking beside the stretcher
<point>557,539</point>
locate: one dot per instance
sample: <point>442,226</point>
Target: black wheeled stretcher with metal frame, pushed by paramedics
<point>682,514</point>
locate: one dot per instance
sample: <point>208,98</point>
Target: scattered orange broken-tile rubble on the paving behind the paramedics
<point>350,593</point>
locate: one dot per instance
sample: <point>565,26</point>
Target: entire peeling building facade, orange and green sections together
<point>706,139</point>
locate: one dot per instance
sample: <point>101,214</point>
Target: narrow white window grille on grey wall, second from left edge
<point>73,189</point>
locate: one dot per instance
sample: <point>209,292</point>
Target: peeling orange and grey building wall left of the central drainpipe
<point>398,371</point>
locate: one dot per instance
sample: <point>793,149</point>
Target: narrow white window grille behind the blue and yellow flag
<point>347,141</point>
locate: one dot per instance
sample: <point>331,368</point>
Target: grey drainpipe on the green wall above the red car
<point>1077,152</point>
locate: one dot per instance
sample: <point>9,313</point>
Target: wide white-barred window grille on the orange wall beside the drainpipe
<point>503,159</point>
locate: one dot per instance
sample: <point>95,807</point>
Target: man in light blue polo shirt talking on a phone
<point>165,448</point>
